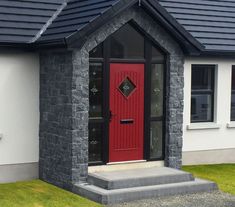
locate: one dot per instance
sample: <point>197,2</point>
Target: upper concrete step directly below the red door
<point>136,178</point>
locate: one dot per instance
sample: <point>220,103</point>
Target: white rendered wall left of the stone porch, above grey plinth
<point>19,107</point>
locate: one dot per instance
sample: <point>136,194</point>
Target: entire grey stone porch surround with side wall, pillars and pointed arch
<point>64,100</point>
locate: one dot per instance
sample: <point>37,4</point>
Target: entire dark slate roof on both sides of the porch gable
<point>210,22</point>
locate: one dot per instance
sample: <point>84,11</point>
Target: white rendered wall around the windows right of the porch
<point>210,136</point>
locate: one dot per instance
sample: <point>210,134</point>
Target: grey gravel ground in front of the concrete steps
<point>215,199</point>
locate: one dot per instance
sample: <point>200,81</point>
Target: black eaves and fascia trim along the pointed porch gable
<point>188,43</point>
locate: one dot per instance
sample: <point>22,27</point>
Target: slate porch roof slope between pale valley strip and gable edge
<point>76,15</point>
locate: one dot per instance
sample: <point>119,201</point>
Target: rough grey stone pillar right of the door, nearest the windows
<point>174,112</point>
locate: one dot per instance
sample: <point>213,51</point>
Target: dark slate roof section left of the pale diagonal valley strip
<point>21,20</point>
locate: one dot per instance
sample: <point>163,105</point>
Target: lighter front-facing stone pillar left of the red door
<point>80,101</point>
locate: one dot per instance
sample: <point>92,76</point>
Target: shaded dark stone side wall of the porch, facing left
<point>56,132</point>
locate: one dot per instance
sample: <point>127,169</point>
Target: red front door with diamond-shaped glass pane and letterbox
<point>126,132</point>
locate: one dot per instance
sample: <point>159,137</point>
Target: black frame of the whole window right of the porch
<point>210,92</point>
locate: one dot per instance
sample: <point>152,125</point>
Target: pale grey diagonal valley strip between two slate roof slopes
<point>49,22</point>
